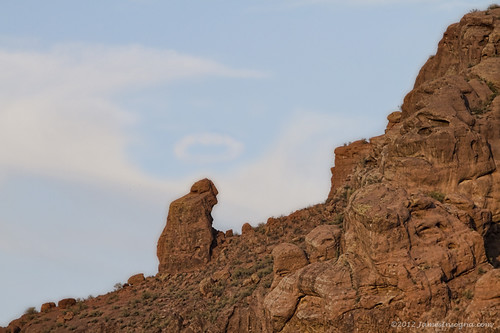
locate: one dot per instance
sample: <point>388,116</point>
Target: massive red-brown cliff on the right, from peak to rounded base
<point>421,203</point>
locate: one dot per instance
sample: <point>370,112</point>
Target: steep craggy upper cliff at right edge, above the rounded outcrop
<point>449,126</point>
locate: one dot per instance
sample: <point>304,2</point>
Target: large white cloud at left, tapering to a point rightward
<point>58,117</point>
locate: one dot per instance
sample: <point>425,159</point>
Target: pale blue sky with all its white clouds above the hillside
<point>111,109</point>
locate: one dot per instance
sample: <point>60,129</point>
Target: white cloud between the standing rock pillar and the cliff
<point>293,173</point>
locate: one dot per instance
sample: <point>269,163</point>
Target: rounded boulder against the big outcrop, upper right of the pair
<point>323,243</point>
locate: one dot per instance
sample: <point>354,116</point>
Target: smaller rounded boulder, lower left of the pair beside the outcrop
<point>287,258</point>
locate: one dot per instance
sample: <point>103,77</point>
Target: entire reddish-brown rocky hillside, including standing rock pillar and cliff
<point>410,231</point>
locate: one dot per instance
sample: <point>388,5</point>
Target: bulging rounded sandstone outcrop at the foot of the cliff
<point>391,253</point>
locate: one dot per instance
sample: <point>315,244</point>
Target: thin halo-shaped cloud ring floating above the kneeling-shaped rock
<point>231,148</point>
